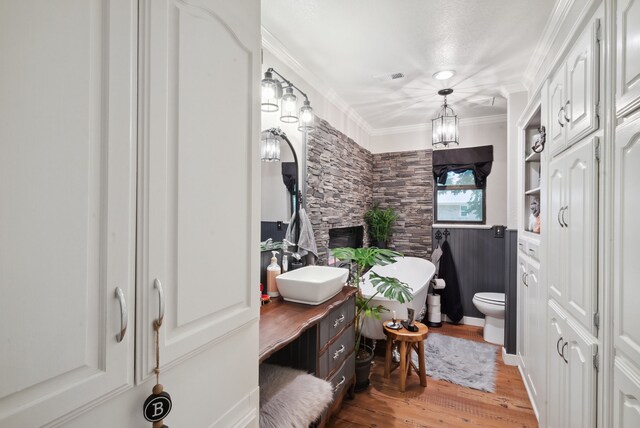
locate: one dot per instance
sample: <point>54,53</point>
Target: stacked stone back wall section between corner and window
<point>404,181</point>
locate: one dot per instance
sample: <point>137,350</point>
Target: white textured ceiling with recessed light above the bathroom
<point>348,43</point>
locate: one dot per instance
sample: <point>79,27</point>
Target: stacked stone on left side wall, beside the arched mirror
<point>339,183</point>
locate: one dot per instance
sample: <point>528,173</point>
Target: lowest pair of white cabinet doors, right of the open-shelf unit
<point>572,353</point>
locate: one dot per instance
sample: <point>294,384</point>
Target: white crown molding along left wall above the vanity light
<point>277,49</point>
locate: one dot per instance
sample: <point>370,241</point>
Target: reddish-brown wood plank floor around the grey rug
<point>440,404</point>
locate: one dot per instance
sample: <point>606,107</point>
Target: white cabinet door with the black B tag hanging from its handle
<point>200,135</point>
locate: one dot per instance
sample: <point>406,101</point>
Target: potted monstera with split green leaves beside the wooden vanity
<point>392,288</point>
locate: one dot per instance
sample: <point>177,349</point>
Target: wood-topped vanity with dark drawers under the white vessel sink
<point>316,338</point>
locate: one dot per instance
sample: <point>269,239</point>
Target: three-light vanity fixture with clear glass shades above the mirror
<point>272,92</point>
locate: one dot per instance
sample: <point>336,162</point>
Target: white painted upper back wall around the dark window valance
<point>471,135</point>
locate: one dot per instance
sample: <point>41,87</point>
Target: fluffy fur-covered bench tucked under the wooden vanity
<point>290,397</point>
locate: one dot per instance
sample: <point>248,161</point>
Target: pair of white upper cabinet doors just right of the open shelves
<point>574,92</point>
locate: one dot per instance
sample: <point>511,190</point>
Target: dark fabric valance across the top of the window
<point>477,159</point>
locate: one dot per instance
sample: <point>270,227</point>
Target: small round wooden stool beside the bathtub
<point>406,341</point>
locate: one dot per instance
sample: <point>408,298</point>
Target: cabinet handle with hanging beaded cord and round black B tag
<point>158,405</point>
